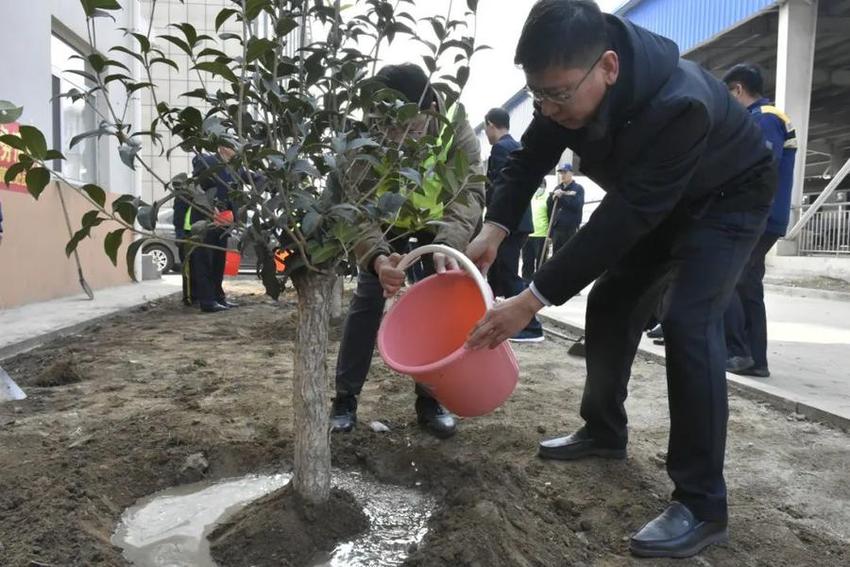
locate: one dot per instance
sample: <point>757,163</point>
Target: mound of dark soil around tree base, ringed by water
<point>279,530</point>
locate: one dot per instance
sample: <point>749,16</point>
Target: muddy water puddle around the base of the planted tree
<point>170,528</point>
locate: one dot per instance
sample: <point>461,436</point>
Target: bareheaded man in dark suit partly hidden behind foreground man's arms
<point>504,275</point>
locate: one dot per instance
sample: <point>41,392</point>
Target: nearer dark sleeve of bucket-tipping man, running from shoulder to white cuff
<point>647,192</point>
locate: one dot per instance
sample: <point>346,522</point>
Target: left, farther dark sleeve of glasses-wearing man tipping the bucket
<point>542,145</point>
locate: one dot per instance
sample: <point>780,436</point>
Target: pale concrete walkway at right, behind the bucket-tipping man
<point>808,352</point>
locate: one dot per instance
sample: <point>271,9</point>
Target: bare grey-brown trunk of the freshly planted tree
<point>312,478</point>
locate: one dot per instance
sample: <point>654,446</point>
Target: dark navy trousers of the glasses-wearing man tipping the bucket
<point>703,259</point>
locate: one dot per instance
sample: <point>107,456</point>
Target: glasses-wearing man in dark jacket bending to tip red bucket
<point>688,183</point>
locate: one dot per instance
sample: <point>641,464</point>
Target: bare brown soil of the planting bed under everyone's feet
<point>163,383</point>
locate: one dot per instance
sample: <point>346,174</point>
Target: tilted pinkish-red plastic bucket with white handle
<point>424,336</point>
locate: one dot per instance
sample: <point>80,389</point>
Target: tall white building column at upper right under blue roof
<point>794,69</point>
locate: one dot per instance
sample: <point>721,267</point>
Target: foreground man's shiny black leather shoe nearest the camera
<point>677,533</point>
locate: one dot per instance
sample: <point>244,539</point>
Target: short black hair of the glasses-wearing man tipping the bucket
<point>563,33</point>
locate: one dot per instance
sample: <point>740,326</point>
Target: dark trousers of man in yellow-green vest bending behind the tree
<point>360,331</point>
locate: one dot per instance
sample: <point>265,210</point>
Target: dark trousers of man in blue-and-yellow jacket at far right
<point>745,318</point>
